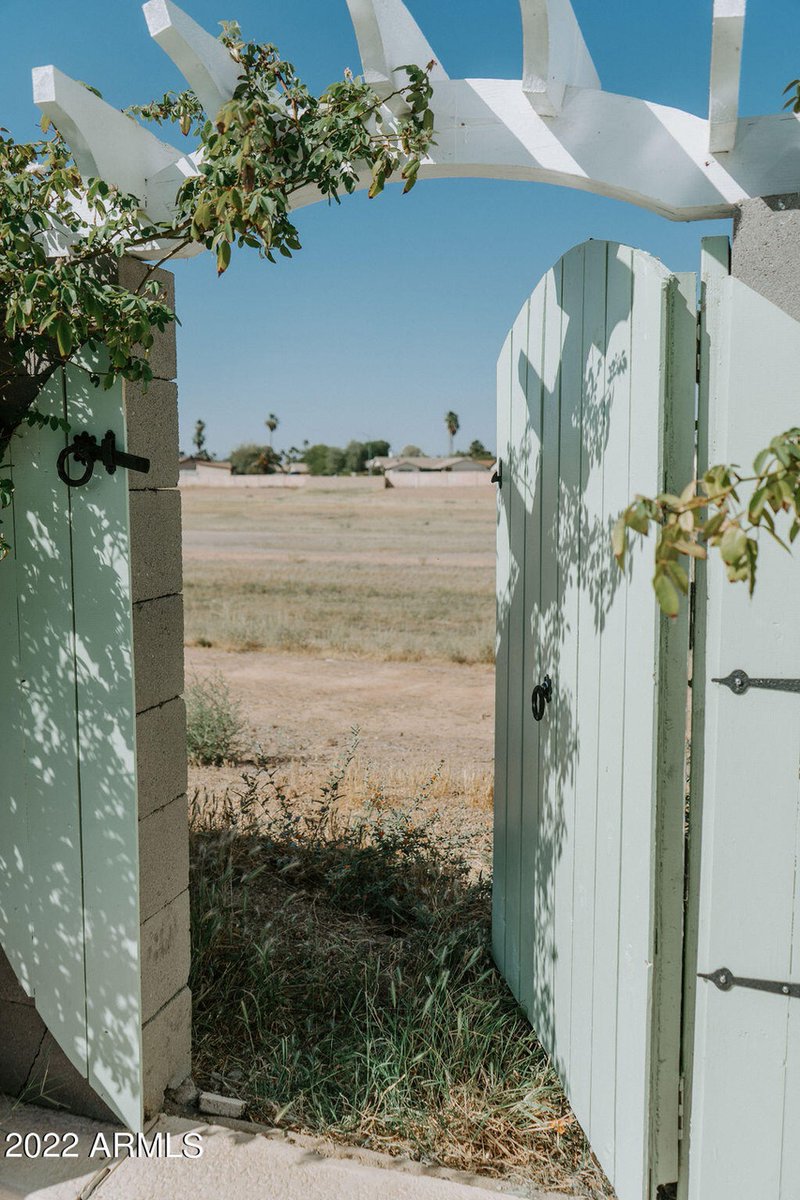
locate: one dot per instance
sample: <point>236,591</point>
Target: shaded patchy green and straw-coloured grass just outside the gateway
<point>344,986</point>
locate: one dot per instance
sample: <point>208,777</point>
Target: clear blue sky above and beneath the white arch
<point>396,309</point>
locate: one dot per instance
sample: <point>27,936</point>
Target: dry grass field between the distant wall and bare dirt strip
<point>389,575</point>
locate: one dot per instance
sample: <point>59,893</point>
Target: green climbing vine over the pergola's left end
<point>62,237</point>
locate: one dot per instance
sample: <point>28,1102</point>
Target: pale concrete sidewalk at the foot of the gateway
<point>204,1162</point>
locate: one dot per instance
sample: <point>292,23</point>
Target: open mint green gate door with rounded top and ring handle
<point>596,403</point>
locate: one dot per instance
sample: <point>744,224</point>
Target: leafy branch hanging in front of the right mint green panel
<point>712,513</point>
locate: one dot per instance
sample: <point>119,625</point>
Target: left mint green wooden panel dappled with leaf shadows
<point>69,849</point>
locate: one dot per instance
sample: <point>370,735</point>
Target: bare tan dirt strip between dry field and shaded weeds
<point>411,716</point>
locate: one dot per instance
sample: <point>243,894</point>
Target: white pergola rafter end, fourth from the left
<point>555,55</point>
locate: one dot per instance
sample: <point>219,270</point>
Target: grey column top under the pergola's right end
<point>766,253</point>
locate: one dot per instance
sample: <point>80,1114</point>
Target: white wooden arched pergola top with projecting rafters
<point>555,125</point>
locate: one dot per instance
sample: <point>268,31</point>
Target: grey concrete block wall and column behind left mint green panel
<point>32,1064</point>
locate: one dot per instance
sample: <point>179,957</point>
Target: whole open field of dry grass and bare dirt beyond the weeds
<point>327,611</point>
